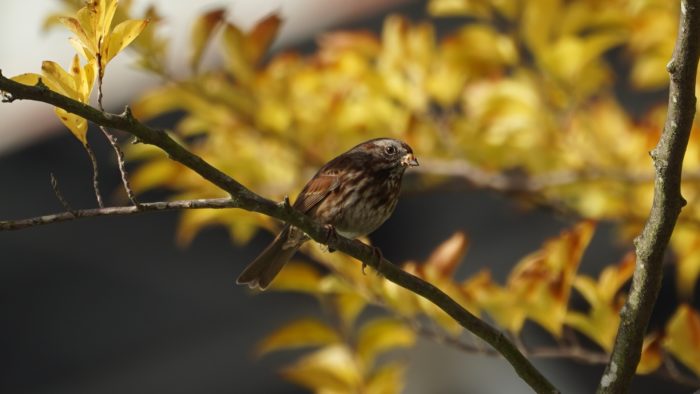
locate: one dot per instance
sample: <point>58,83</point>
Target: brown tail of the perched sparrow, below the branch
<point>268,264</point>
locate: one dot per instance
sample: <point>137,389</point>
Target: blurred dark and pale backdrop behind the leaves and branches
<point>112,305</point>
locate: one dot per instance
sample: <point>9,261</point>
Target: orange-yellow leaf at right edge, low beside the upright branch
<point>683,337</point>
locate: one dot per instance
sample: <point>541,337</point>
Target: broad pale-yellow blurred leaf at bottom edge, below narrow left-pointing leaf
<point>331,369</point>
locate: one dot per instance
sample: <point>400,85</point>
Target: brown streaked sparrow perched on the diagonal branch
<point>353,193</point>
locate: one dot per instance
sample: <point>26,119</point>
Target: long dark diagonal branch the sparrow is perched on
<point>245,199</point>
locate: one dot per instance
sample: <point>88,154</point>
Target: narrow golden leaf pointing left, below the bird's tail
<point>299,333</point>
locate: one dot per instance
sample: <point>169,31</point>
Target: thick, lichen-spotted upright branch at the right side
<point>651,244</point>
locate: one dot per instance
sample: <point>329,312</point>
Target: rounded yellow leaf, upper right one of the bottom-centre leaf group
<point>381,335</point>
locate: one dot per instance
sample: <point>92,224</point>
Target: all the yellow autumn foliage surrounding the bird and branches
<point>530,88</point>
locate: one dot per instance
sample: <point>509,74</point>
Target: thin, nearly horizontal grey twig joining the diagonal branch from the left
<point>71,215</point>
